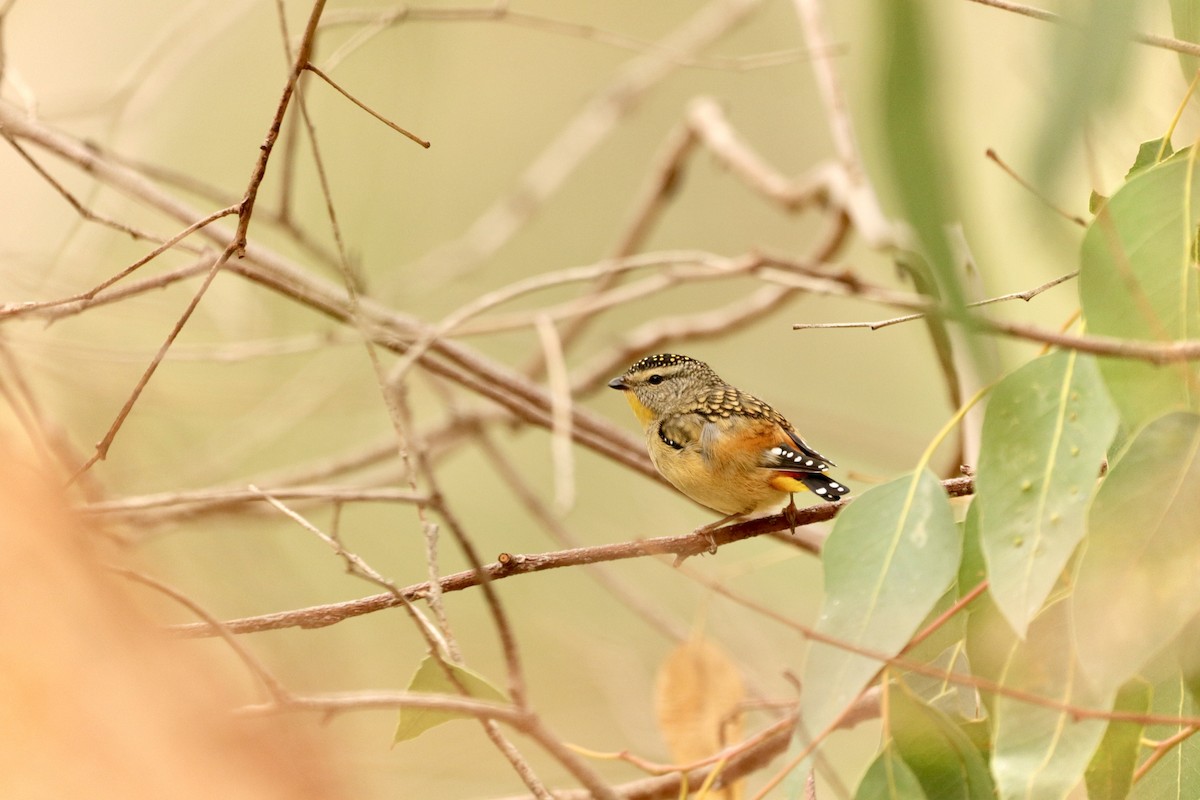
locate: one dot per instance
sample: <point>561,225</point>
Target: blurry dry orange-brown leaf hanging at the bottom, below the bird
<point>698,695</point>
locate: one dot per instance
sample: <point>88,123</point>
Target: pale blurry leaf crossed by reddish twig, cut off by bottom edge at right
<point>1040,751</point>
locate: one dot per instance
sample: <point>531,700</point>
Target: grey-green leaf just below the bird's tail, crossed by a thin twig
<point>891,556</point>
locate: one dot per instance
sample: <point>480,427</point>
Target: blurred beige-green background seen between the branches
<point>193,87</point>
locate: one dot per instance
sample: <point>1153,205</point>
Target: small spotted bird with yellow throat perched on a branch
<point>723,448</point>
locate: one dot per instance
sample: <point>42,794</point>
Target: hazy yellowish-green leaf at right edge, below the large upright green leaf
<point>1137,582</point>
